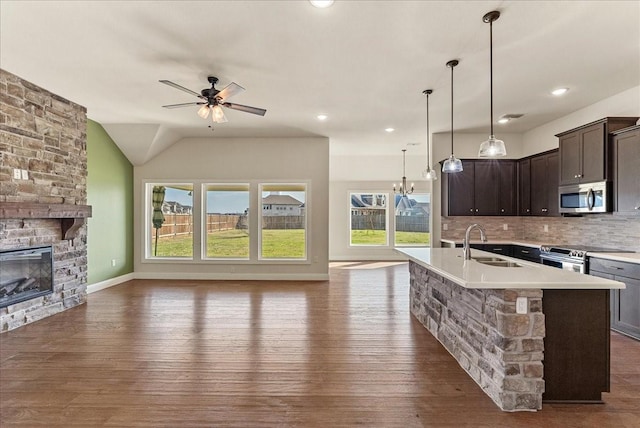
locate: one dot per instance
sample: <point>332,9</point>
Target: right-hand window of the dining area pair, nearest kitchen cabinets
<point>412,219</point>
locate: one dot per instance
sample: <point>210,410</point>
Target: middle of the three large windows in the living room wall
<point>226,231</point>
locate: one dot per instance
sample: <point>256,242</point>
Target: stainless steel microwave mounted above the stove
<point>585,198</point>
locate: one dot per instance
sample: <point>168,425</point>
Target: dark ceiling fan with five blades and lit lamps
<point>213,99</point>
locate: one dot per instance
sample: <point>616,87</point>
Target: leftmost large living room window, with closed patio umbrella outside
<point>171,212</point>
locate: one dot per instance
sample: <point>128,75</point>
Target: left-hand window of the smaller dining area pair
<point>368,219</point>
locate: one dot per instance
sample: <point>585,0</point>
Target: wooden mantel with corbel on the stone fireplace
<point>71,216</point>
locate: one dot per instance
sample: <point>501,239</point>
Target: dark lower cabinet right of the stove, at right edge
<point>625,303</point>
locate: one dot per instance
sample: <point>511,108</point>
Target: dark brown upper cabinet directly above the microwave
<point>585,152</point>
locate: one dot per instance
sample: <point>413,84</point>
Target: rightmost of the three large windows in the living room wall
<point>283,221</point>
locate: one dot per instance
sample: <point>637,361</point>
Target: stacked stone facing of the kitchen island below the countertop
<point>501,350</point>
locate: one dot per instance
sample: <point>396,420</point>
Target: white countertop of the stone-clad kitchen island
<point>449,263</point>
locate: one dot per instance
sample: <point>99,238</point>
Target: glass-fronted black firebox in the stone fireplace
<point>25,274</point>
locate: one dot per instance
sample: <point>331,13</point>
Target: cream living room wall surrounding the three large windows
<point>244,160</point>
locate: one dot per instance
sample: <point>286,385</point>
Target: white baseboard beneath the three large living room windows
<point>233,276</point>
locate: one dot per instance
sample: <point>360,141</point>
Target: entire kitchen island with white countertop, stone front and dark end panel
<point>526,333</point>
